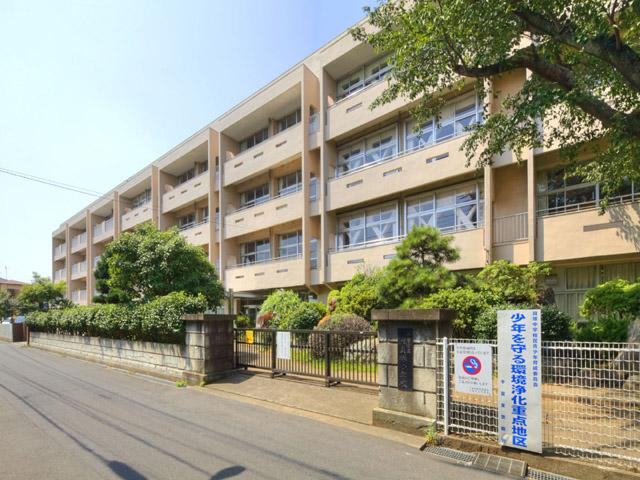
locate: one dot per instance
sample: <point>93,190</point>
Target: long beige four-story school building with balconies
<point>302,184</point>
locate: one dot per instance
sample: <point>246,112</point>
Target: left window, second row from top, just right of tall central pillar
<point>367,151</point>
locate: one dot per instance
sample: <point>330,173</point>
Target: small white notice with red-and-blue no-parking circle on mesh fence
<point>473,369</point>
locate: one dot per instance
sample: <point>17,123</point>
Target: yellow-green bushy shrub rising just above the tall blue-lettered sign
<point>507,282</point>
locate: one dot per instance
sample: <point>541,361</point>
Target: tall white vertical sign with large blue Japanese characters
<point>520,379</point>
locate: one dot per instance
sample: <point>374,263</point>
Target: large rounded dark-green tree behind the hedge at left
<point>146,263</point>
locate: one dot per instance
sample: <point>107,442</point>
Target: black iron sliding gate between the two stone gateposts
<point>337,357</point>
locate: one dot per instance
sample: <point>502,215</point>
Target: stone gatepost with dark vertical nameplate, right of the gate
<point>407,364</point>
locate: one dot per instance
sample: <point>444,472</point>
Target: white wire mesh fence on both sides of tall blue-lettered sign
<point>590,400</point>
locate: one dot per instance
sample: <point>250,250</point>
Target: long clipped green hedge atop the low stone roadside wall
<point>157,321</point>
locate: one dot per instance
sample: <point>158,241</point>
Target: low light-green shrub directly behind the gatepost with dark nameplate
<point>468,303</point>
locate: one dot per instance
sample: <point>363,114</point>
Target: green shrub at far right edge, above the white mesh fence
<point>613,297</point>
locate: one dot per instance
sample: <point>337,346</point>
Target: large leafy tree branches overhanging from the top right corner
<point>583,56</point>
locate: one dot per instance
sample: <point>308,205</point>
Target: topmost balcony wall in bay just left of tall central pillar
<point>269,154</point>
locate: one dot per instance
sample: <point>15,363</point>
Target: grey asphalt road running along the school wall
<point>62,418</point>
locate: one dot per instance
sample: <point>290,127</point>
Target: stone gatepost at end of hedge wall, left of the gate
<point>209,345</point>
